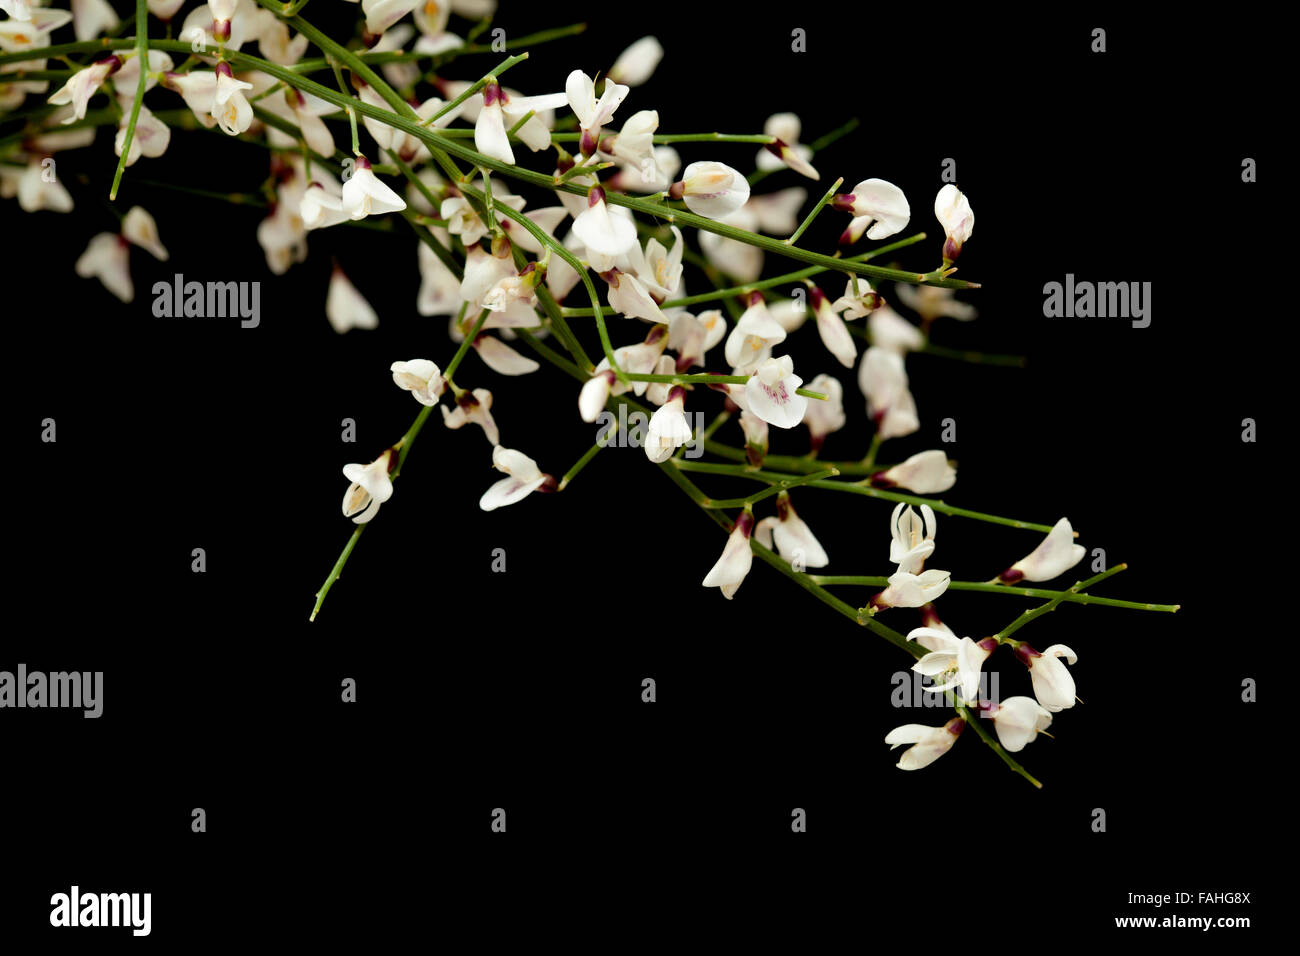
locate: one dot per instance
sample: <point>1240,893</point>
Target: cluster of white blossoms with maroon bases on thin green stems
<point>609,246</point>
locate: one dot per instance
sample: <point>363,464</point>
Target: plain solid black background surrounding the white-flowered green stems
<point>479,690</point>
